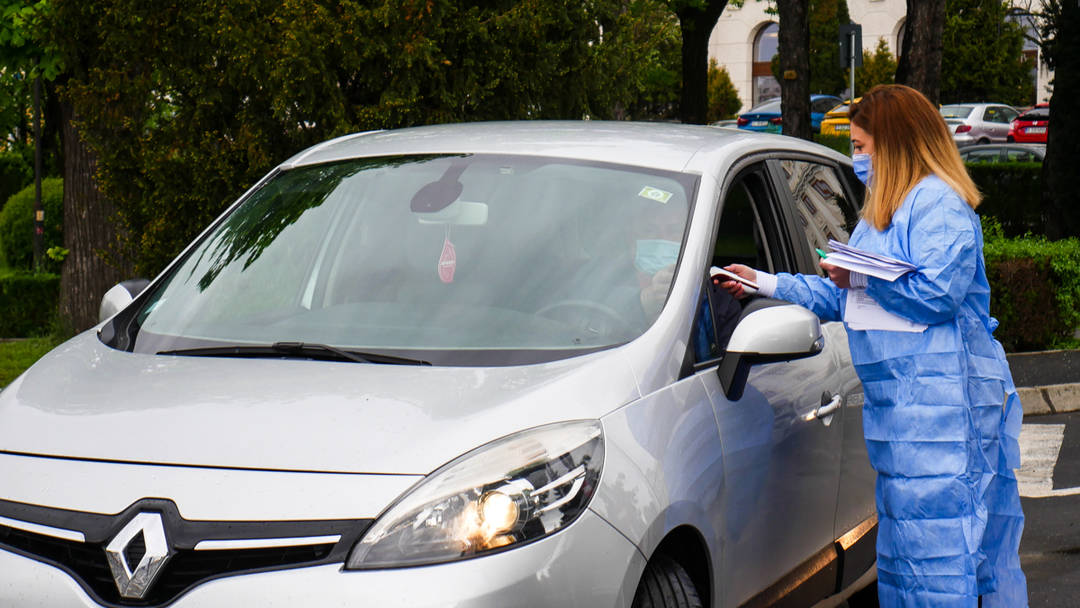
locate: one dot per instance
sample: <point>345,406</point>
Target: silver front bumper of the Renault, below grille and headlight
<point>588,564</point>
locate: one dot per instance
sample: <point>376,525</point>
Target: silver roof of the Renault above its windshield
<point>663,146</point>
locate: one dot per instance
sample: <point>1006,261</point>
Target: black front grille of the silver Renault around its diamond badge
<point>186,569</point>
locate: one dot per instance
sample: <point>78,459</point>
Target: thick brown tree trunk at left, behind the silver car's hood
<point>89,233</point>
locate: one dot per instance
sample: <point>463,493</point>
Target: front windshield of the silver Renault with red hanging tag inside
<point>430,258</point>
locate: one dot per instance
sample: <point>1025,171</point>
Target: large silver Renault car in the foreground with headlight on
<point>478,366</point>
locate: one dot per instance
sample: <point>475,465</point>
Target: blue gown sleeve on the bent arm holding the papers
<point>942,244</point>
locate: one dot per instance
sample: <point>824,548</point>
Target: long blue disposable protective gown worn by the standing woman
<point>941,418</point>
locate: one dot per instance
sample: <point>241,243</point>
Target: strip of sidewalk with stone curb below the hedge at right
<point>1047,382</point>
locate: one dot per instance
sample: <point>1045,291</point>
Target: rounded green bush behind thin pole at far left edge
<point>17,226</point>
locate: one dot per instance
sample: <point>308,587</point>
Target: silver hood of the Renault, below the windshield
<point>86,400</point>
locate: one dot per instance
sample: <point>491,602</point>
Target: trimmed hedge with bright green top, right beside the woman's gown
<point>1035,290</point>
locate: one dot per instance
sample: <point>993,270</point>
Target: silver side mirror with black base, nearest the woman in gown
<point>777,333</point>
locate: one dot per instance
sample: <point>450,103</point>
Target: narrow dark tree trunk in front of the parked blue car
<point>794,50</point>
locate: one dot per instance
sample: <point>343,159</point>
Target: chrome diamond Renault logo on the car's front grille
<point>138,553</point>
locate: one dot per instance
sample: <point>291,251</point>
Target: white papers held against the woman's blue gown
<point>861,312</point>
